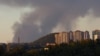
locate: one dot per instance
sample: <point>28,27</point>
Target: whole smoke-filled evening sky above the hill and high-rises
<point>32,19</point>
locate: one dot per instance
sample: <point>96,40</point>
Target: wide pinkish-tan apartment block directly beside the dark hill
<point>61,37</point>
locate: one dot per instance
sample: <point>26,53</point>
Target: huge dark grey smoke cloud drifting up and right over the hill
<point>48,13</point>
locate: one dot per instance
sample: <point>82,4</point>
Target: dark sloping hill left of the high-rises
<point>50,38</point>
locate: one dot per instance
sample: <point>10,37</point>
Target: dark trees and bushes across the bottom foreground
<point>83,48</point>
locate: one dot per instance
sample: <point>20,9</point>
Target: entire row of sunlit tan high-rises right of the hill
<point>74,36</point>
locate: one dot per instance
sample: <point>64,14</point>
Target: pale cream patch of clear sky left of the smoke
<point>8,16</point>
